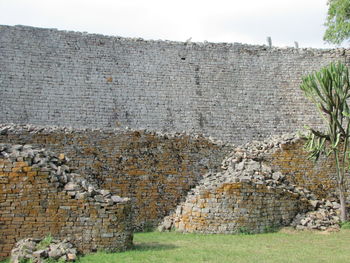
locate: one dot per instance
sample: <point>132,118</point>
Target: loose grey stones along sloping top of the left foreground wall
<point>60,173</point>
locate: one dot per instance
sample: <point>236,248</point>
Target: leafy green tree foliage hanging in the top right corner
<point>337,21</point>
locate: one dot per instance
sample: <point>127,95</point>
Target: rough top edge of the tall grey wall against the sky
<point>187,44</point>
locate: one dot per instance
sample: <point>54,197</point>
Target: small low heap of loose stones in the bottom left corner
<point>33,250</point>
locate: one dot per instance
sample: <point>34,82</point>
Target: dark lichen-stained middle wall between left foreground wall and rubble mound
<point>154,170</point>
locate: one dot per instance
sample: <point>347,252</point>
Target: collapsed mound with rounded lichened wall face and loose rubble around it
<point>251,196</point>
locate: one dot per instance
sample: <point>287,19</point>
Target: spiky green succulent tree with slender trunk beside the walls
<point>329,90</point>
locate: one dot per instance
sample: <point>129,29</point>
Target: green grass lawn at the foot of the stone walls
<point>284,246</point>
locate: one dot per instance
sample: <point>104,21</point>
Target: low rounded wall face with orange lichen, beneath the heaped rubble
<point>238,208</point>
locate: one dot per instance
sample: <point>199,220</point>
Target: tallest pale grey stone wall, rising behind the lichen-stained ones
<point>229,91</point>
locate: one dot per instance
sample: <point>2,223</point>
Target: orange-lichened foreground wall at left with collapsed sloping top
<point>40,196</point>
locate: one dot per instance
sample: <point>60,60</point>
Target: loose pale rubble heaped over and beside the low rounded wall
<point>246,164</point>
